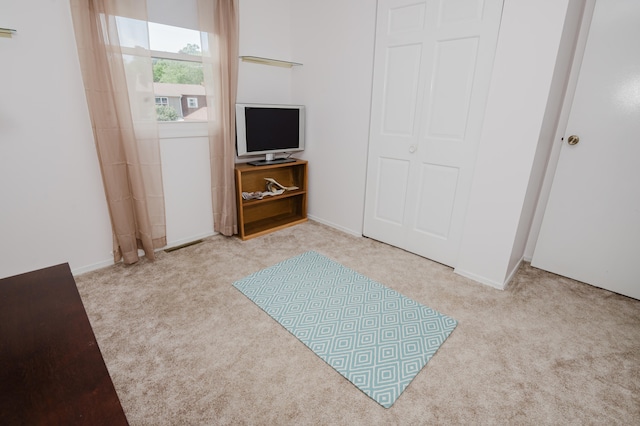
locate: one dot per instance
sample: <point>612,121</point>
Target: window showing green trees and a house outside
<point>176,64</point>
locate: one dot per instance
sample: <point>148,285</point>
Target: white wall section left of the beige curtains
<point>53,206</point>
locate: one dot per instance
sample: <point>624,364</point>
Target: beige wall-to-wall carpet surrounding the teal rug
<point>186,348</point>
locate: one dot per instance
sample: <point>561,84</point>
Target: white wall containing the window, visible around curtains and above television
<point>53,206</point>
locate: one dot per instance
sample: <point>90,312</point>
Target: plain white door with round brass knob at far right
<point>591,226</point>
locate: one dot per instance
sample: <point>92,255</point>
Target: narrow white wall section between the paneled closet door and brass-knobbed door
<point>506,179</point>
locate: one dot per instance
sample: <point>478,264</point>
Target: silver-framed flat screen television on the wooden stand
<point>269,129</point>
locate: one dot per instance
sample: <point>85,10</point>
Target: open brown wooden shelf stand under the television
<point>271,213</point>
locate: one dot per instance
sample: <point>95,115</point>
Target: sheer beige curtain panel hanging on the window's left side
<point>124,125</point>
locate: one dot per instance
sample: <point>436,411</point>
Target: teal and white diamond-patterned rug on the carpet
<point>375,337</point>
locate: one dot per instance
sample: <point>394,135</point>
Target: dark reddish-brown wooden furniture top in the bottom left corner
<point>51,369</point>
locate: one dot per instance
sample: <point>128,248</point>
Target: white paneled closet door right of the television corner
<point>433,62</point>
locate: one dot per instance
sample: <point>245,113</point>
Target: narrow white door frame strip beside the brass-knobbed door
<point>554,156</point>
